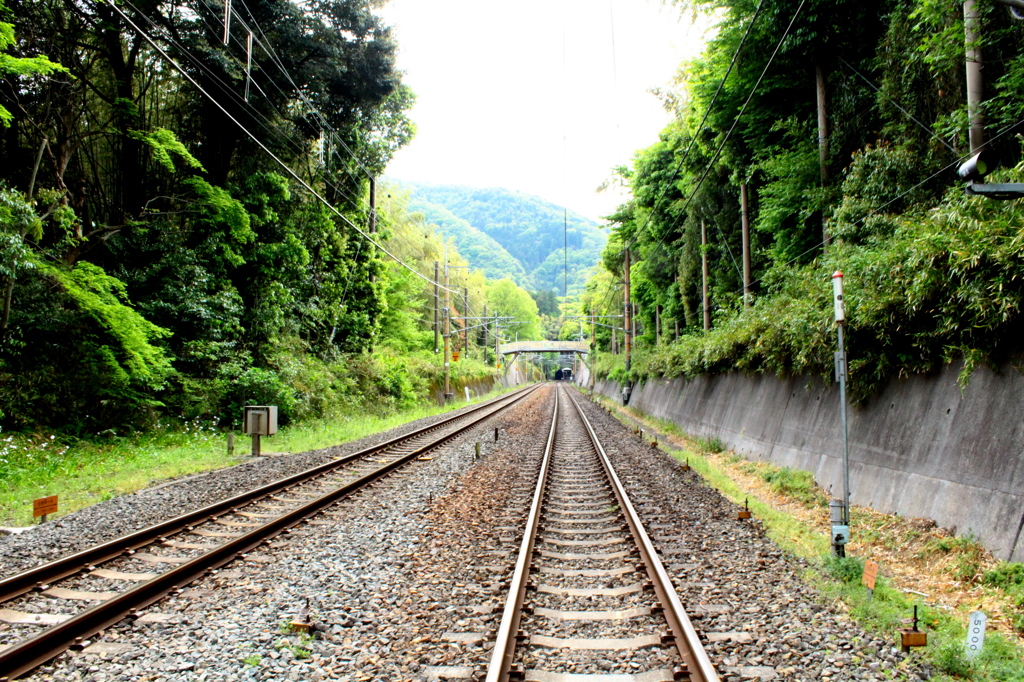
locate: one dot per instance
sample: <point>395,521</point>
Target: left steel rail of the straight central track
<point>508,630</point>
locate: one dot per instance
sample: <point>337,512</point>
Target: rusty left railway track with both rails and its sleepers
<point>119,579</point>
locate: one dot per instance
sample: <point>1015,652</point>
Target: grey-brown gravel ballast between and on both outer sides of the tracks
<point>406,581</point>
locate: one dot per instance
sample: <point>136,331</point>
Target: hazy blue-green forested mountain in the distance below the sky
<point>510,234</point>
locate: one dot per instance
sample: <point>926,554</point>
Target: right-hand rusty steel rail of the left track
<point>30,654</point>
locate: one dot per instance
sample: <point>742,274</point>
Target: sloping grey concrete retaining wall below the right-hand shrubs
<point>921,449</point>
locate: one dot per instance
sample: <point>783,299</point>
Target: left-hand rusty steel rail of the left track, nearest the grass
<point>39,577</point>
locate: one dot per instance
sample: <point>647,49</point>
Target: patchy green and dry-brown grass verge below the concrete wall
<point>777,497</point>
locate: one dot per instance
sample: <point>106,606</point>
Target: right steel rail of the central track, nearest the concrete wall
<point>688,643</point>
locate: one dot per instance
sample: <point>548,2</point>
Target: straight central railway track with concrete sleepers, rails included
<point>589,595</point>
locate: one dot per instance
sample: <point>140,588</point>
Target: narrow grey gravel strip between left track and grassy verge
<point>129,514</point>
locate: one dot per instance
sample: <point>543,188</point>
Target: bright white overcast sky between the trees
<point>544,97</point>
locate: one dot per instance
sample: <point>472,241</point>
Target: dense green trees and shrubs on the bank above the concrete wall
<point>932,276</point>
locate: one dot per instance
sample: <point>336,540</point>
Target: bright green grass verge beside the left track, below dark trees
<point>86,473</point>
